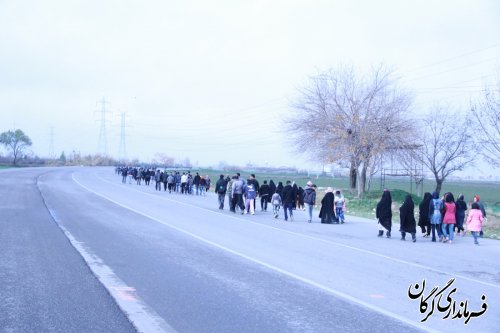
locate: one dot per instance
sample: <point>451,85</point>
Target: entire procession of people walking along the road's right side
<point>439,217</point>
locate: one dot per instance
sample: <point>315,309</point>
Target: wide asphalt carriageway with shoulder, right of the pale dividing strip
<point>192,268</point>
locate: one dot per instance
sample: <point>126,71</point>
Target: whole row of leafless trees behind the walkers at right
<point>354,119</point>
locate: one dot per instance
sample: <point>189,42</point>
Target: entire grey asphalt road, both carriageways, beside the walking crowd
<point>82,252</point>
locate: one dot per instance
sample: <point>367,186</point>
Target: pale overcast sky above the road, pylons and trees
<point>211,80</point>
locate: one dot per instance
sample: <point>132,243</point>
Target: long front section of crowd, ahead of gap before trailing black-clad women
<point>244,194</point>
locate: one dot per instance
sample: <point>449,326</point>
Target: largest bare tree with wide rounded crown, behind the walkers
<point>341,115</point>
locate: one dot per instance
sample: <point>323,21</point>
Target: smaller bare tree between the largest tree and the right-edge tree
<point>447,144</point>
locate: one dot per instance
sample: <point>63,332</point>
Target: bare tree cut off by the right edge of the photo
<point>486,121</point>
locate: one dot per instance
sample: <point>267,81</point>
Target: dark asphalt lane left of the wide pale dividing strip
<point>45,284</point>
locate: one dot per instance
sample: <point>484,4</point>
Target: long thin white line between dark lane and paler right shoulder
<point>269,266</point>
